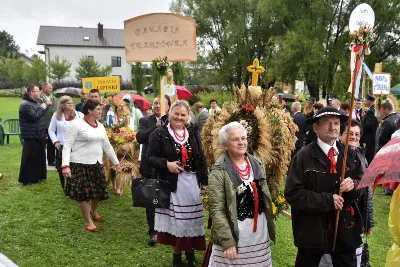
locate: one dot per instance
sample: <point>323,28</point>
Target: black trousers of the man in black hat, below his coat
<point>307,257</point>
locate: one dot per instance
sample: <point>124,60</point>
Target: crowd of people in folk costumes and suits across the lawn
<point>241,206</point>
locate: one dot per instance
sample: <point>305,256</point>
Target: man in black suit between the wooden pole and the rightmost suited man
<point>369,126</point>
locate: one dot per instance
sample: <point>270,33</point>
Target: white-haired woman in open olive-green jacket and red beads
<point>240,204</point>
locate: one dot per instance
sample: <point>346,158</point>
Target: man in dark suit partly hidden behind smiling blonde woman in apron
<point>146,126</point>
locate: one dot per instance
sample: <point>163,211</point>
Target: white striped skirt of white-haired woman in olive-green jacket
<point>253,249</point>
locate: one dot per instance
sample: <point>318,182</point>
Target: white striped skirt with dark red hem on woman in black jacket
<point>182,225</point>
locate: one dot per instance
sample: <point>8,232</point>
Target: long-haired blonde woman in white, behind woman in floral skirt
<point>58,127</point>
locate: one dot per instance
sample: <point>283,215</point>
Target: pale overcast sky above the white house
<point>22,18</point>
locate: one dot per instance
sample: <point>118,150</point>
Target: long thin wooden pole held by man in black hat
<point>346,149</point>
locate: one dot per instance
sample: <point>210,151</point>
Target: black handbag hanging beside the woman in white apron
<point>150,193</point>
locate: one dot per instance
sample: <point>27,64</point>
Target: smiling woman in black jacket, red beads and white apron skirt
<point>176,154</point>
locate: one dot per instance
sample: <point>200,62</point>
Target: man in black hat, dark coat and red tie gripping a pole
<point>312,189</point>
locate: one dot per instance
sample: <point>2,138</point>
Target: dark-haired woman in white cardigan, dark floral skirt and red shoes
<point>81,162</point>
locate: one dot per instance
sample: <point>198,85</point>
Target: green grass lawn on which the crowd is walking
<point>41,227</point>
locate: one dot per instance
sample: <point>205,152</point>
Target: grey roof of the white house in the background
<point>73,36</point>
